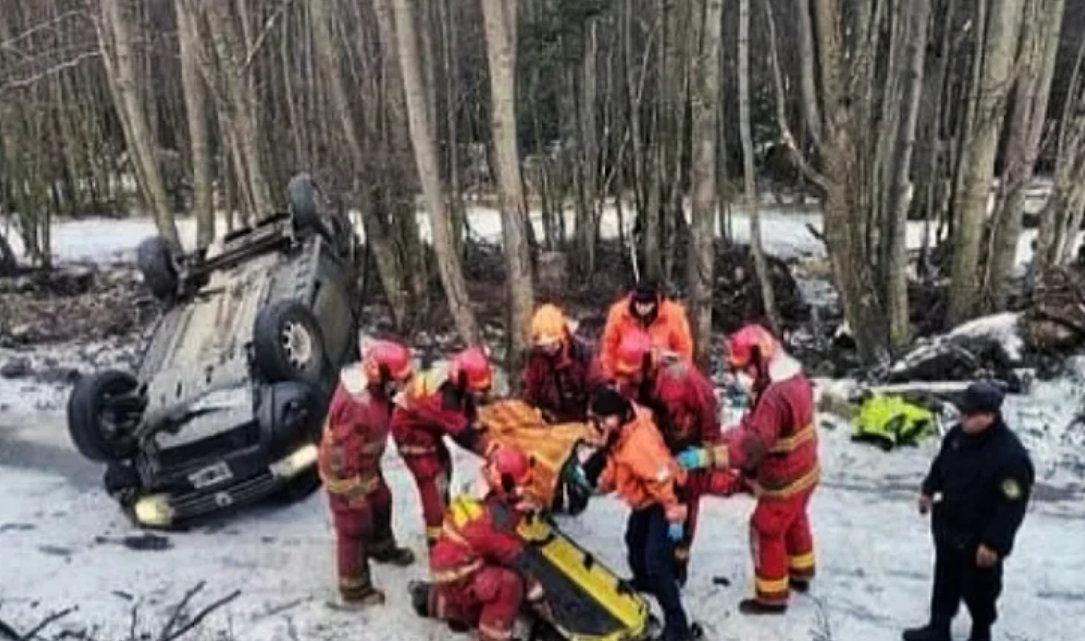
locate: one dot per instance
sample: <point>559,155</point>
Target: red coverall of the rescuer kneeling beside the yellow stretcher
<point>475,568</point>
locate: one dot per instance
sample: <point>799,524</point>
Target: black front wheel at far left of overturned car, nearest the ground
<point>104,412</point>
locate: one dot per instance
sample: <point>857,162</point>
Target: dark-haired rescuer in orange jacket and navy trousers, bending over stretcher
<point>636,464</point>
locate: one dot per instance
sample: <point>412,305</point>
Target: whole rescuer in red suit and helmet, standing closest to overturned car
<point>354,440</point>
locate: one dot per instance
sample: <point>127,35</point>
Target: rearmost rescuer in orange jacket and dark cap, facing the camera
<point>647,310</point>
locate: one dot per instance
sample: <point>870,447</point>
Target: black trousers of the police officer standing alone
<point>959,579</point>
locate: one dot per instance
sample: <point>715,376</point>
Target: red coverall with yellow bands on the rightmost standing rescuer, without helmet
<point>776,446</point>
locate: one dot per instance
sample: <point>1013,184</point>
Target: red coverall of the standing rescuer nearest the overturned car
<point>354,439</point>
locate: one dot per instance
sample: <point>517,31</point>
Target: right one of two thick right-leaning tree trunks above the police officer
<point>1036,70</point>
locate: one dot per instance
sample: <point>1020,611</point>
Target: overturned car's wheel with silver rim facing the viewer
<point>288,344</point>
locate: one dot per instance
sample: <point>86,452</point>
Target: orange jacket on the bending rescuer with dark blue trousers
<point>641,469</point>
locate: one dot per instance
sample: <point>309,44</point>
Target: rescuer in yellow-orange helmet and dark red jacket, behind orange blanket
<point>560,370</point>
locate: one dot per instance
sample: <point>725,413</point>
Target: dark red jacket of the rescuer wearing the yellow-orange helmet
<point>561,384</point>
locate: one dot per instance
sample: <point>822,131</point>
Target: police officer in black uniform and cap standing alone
<point>978,489</point>
